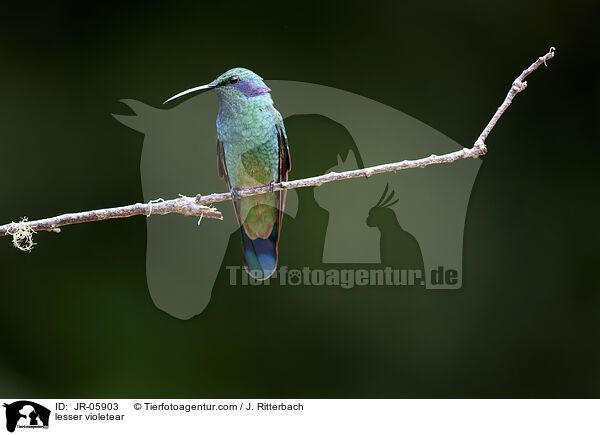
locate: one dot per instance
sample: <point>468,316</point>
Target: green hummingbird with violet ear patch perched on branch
<point>252,151</point>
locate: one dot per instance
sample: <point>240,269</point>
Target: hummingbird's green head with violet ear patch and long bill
<point>237,83</point>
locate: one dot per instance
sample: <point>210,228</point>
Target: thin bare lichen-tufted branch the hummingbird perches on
<point>22,231</point>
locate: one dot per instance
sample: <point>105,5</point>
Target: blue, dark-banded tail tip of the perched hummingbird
<point>260,255</point>
